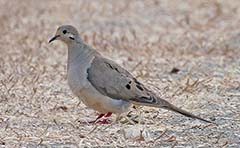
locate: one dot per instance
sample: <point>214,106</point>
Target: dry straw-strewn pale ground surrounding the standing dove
<point>186,51</point>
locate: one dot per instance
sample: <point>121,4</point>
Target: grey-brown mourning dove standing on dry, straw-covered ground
<point>102,84</point>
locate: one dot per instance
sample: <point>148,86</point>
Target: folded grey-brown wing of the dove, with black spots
<point>112,80</point>
